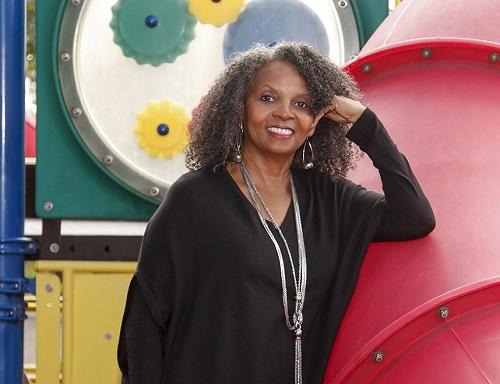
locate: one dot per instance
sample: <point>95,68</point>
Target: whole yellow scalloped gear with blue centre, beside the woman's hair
<point>161,128</point>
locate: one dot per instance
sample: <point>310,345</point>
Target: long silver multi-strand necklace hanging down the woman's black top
<point>300,284</point>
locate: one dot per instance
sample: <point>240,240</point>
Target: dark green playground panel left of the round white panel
<point>67,178</point>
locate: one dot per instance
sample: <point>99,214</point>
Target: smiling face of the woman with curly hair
<point>278,116</point>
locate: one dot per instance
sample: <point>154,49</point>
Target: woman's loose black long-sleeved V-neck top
<point>205,306</point>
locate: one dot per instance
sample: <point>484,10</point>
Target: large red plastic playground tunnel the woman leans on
<point>428,311</point>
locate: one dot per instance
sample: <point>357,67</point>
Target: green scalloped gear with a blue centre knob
<point>151,31</point>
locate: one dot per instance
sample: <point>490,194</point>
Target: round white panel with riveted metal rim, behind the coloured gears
<point>104,91</point>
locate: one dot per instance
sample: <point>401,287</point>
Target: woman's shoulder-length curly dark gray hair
<point>214,129</point>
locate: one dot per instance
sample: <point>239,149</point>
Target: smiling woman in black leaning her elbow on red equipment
<point>248,265</point>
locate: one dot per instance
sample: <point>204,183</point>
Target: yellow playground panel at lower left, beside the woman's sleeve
<point>79,310</point>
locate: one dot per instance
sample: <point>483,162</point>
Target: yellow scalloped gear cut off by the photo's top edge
<point>216,12</point>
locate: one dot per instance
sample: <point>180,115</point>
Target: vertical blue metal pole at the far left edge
<point>12,244</point>
